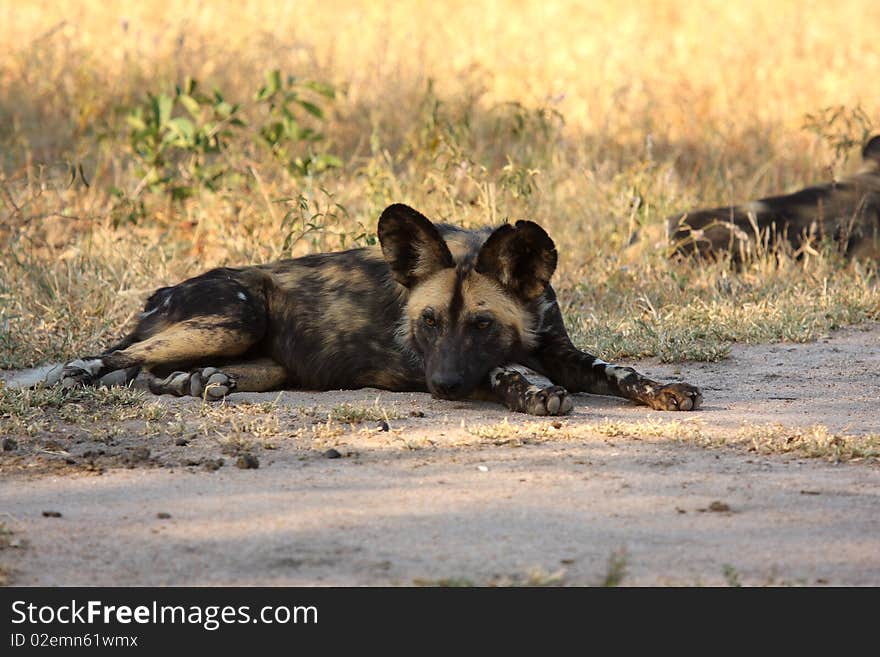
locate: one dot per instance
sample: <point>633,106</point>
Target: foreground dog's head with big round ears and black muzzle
<point>469,315</point>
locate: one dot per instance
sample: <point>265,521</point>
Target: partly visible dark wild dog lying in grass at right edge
<point>847,211</point>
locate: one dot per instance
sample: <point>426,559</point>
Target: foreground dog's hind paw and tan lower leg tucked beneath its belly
<point>214,383</point>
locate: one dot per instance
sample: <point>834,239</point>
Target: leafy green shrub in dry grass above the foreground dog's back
<point>182,142</point>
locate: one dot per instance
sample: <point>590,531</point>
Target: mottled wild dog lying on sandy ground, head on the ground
<point>456,312</point>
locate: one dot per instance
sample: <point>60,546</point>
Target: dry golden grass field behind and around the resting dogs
<point>589,118</point>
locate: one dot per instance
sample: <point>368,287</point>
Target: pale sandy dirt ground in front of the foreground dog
<point>443,494</point>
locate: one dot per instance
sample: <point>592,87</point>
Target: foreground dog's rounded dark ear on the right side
<point>522,258</point>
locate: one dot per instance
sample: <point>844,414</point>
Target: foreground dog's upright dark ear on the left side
<point>411,244</point>
